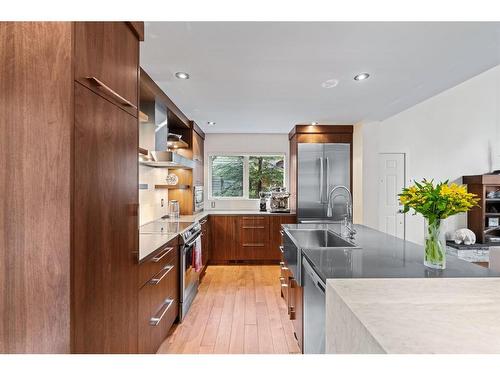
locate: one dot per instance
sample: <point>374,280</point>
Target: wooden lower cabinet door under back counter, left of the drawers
<point>224,238</point>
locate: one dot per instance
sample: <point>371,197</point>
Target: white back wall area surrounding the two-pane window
<point>244,143</point>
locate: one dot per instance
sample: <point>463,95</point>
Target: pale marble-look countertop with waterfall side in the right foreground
<point>413,316</point>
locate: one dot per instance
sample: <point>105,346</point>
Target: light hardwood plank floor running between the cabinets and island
<point>238,310</point>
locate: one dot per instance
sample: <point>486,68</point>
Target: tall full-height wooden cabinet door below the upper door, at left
<point>105,252</point>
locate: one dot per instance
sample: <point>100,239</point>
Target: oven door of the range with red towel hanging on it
<point>190,279</point>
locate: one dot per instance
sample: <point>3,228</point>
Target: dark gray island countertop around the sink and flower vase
<point>380,256</point>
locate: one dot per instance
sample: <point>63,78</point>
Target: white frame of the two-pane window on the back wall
<point>246,174</point>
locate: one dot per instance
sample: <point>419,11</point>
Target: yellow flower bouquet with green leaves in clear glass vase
<point>435,203</point>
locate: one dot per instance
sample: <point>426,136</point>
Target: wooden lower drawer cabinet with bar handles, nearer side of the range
<point>158,297</point>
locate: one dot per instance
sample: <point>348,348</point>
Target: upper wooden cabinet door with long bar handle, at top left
<point>107,61</point>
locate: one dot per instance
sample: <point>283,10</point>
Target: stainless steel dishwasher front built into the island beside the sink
<point>314,310</point>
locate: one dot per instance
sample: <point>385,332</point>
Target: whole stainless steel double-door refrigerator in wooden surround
<point>322,166</point>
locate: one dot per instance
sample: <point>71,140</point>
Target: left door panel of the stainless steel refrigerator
<point>311,192</point>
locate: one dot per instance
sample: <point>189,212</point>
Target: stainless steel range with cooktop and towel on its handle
<point>190,279</point>
